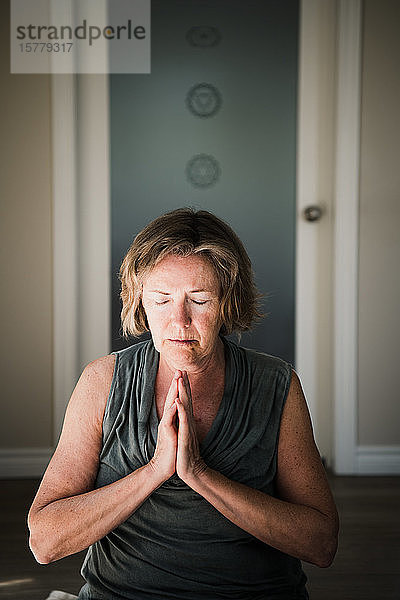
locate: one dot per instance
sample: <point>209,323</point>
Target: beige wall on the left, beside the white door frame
<point>26,298</point>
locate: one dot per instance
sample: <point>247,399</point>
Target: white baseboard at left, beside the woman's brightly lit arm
<point>24,463</point>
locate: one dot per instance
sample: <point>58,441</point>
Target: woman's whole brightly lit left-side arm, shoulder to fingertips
<point>67,514</point>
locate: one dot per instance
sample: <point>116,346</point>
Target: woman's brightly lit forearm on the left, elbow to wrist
<point>69,525</point>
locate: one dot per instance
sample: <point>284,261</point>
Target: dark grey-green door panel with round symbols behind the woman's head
<point>247,51</point>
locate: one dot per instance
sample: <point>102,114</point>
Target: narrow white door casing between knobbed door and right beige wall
<point>348,131</point>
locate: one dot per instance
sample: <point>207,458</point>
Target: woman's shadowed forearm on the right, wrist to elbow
<point>301,531</point>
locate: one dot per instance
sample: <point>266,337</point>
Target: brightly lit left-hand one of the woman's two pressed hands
<point>164,459</point>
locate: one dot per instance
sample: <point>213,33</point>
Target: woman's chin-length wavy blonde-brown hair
<point>185,232</point>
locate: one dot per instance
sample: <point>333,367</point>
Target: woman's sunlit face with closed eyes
<point>181,301</point>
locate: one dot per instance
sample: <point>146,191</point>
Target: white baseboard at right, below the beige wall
<point>378,460</point>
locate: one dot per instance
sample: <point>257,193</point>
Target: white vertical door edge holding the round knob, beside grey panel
<point>314,240</point>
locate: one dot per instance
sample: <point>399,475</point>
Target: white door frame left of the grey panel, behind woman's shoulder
<point>81,230</point>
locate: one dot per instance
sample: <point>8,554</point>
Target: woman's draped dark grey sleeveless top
<point>176,545</point>
